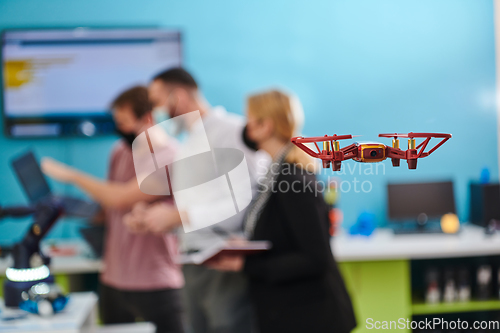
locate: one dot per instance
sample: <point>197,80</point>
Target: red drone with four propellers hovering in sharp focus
<point>370,152</point>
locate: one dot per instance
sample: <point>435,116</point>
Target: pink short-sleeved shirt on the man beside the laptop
<point>136,261</point>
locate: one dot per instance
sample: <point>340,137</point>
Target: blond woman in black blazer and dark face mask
<point>296,286</point>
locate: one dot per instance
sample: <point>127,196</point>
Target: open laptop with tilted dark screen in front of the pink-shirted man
<point>37,189</point>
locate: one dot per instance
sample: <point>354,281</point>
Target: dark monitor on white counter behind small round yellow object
<point>407,201</point>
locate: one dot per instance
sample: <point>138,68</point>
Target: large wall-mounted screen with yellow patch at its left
<point>62,81</point>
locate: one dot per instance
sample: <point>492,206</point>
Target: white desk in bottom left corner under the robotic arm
<point>80,315</point>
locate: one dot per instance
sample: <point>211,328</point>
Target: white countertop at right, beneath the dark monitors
<point>384,245</point>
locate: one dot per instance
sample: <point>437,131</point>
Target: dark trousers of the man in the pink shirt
<point>160,307</point>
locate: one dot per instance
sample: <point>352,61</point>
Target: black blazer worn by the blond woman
<point>296,286</point>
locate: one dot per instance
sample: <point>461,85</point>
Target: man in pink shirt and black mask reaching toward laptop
<point>140,278</point>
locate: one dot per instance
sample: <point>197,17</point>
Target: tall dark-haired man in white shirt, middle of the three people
<point>215,301</point>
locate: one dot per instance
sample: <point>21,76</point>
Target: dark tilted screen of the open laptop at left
<point>31,177</point>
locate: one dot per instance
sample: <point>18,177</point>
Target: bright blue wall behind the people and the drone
<point>359,66</point>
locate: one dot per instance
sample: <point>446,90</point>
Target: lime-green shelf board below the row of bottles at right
<point>421,308</point>
